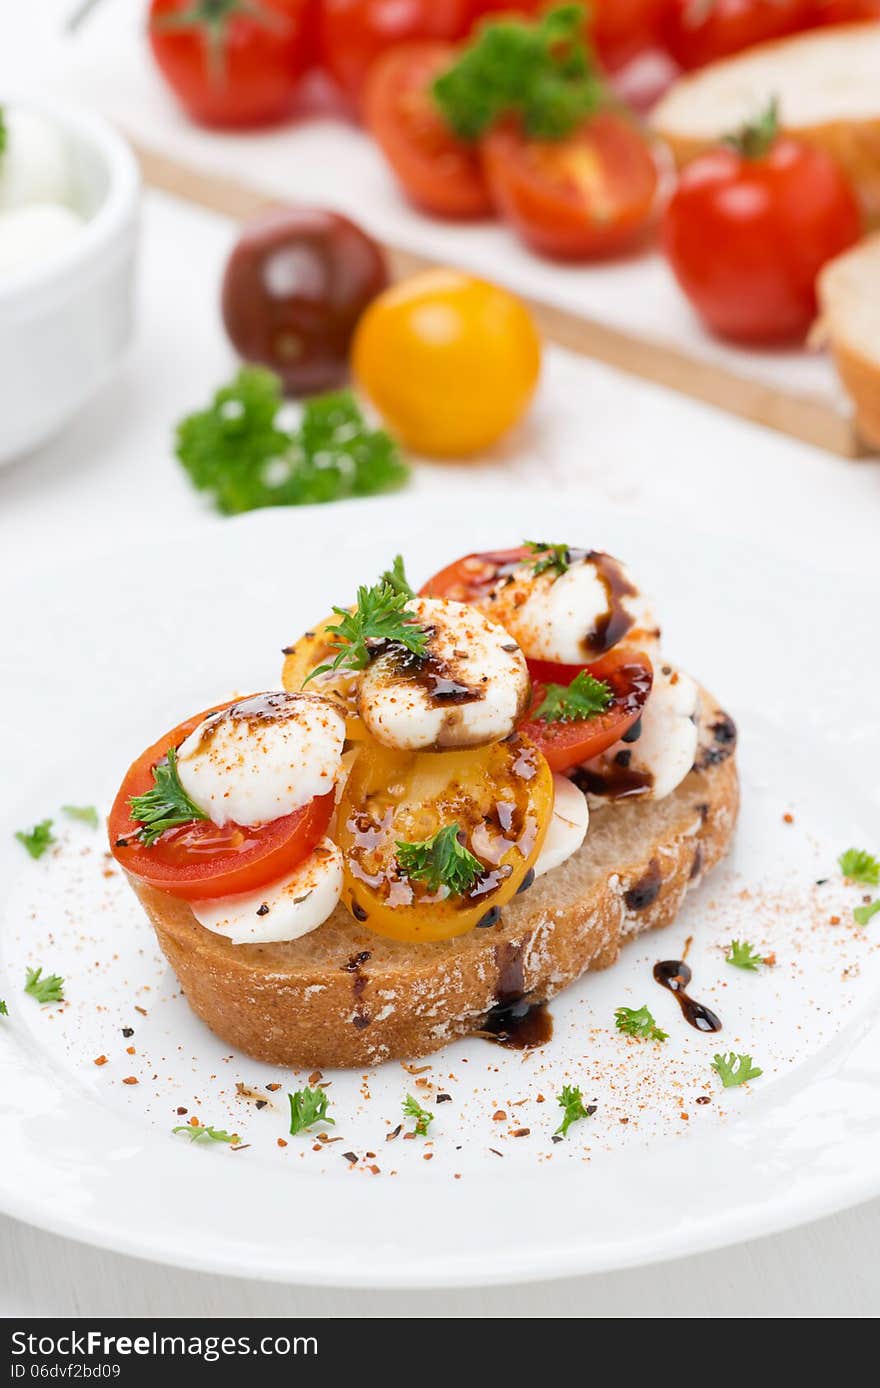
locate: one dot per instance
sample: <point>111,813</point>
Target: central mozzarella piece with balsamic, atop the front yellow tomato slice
<point>470,689</point>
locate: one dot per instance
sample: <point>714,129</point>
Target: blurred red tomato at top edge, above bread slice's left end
<point>696,33</point>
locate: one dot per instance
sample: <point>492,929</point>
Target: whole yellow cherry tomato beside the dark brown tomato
<point>449,362</point>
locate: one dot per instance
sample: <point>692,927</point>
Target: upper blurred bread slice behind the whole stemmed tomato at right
<point>828,87</point>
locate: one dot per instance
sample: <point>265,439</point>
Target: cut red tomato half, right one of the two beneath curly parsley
<point>582,198</point>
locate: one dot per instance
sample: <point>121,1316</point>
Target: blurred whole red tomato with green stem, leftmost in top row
<point>234,63</point>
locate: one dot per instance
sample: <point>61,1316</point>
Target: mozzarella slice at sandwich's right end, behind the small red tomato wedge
<point>667,746</point>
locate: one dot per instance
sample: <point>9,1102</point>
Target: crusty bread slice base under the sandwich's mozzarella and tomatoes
<point>344,996</point>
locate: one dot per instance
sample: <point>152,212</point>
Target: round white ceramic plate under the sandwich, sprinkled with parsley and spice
<point>108,653</point>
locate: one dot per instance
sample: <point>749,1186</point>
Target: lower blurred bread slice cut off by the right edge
<point>849,292</point>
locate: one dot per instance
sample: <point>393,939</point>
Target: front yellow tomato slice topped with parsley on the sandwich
<point>502,800</point>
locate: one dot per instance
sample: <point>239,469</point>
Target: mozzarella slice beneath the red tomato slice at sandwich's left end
<point>282,911</point>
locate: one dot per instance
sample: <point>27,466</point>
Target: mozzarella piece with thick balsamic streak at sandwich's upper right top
<point>574,617</point>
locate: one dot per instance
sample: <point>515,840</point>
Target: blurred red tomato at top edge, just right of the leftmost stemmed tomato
<point>357,33</point>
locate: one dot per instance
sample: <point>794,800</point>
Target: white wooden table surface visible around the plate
<point>112,478</point>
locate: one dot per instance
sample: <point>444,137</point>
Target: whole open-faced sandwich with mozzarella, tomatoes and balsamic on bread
<point>460,803</point>
